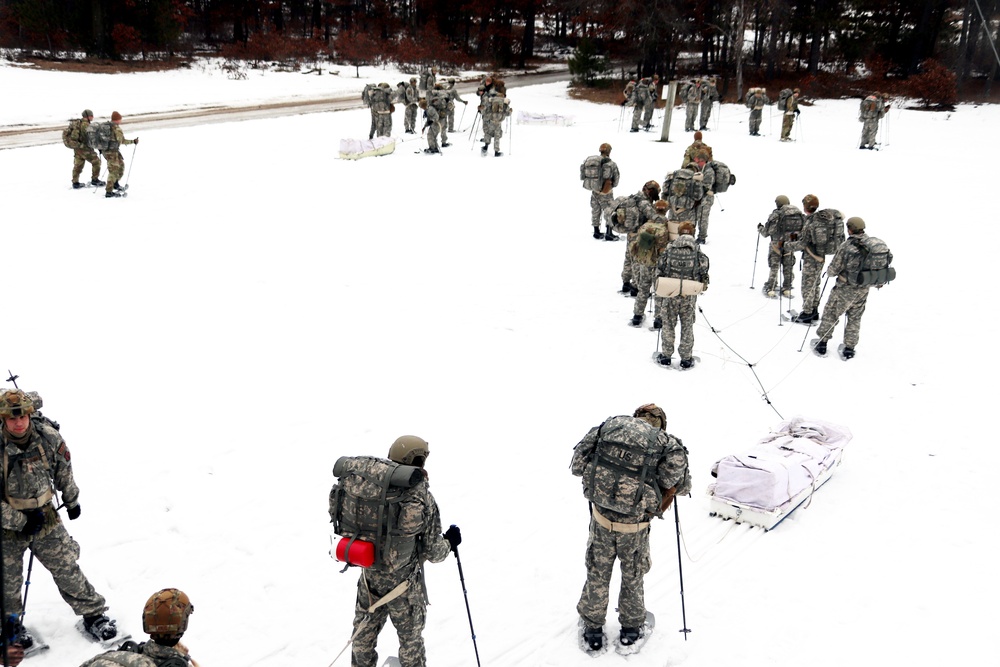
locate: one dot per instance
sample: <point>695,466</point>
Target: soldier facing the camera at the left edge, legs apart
<point>36,465</point>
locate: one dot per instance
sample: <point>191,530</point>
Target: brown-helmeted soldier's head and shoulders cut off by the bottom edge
<point>164,619</point>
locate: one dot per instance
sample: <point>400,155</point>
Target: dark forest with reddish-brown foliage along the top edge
<point>933,51</point>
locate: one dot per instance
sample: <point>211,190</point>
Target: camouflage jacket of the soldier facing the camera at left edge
<point>33,470</point>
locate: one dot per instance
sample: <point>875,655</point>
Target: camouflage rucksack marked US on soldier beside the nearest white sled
<point>620,475</point>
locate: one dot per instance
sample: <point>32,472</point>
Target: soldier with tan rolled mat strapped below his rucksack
<point>682,259</point>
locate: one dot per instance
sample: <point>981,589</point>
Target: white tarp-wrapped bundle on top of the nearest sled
<point>781,465</point>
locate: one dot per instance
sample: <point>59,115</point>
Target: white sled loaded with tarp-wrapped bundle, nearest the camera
<point>781,472</point>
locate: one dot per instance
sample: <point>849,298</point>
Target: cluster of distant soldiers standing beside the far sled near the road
<point>437,100</point>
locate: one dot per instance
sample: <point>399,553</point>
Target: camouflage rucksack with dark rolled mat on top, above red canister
<point>365,505</point>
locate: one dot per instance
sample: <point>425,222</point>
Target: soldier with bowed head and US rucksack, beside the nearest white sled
<point>621,532</point>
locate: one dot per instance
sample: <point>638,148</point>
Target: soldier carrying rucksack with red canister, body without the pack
<point>403,585</point>
